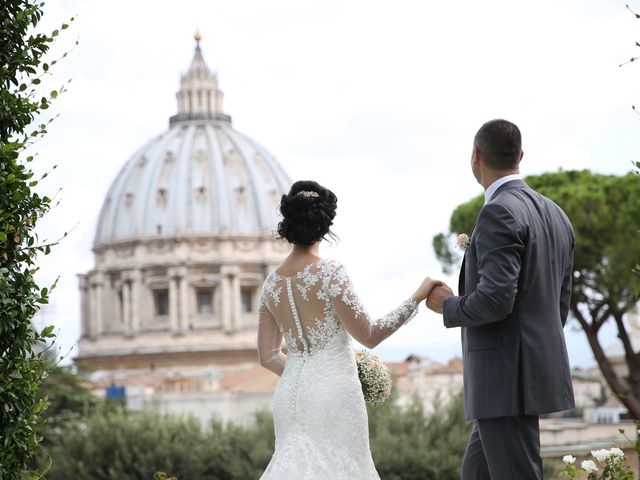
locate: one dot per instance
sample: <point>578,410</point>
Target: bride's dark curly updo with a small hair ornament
<point>308,211</point>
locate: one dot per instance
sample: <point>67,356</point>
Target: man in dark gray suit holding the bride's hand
<point>515,285</point>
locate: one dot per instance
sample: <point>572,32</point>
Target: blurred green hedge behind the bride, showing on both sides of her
<point>114,444</point>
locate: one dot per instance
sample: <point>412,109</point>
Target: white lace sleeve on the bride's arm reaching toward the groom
<point>355,318</point>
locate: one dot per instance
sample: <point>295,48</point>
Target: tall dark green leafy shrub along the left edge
<point>23,363</point>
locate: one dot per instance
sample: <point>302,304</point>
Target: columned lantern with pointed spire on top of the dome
<point>199,97</point>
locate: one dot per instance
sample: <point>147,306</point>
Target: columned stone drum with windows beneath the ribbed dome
<point>179,296</point>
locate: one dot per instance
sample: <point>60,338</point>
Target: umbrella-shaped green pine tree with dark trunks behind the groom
<point>604,212</point>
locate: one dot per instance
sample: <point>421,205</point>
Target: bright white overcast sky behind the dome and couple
<point>378,100</point>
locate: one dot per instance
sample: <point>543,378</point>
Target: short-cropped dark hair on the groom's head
<point>500,143</point>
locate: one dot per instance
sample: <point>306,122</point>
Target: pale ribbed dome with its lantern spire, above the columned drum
<point>201,177</point>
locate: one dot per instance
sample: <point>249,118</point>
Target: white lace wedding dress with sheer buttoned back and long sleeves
<point>318,408</point>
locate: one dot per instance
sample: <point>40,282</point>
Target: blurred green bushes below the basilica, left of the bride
<point>118,444</point>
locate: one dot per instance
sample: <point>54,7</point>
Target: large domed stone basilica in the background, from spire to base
<point>183,243</point>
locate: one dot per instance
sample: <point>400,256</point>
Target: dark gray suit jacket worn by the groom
<point>515,286</point>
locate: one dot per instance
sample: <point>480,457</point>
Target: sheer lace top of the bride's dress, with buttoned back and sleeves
<point>313,307</point>
